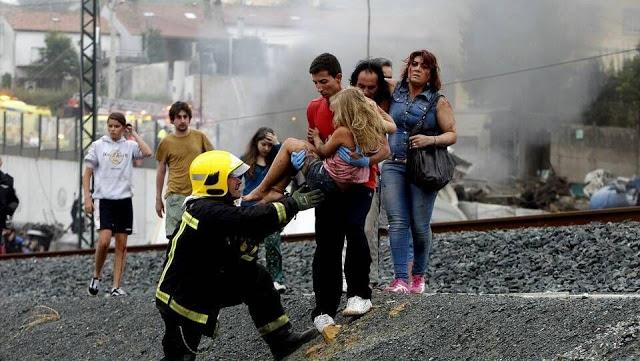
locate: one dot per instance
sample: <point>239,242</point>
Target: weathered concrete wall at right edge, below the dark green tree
<point>577,150</point>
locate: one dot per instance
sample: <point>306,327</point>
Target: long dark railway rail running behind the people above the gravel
<point>614,215</point>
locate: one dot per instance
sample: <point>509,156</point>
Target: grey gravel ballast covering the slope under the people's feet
<point>464,319</point>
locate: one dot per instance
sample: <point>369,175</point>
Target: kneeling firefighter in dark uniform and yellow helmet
<point>211,261</point>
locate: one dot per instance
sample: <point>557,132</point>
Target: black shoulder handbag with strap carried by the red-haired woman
<point>430,167</point>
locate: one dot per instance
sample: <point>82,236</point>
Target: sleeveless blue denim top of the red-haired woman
<point>406,113</point>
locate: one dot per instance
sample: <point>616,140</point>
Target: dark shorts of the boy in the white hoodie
<point>114,214</point>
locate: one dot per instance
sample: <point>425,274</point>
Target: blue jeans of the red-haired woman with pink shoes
<point>409,210</point>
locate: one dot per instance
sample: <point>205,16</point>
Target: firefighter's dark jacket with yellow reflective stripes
<point>215,241</point>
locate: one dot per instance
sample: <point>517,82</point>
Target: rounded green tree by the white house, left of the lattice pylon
<point>58,60</point>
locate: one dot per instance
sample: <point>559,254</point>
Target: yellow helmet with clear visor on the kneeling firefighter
<point>209,172</point>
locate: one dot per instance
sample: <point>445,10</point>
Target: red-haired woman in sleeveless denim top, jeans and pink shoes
<point>409,207</point>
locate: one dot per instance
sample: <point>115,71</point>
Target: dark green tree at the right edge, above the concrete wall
<point>618,103</point>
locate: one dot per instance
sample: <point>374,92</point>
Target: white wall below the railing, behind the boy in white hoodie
<point>47,188</point>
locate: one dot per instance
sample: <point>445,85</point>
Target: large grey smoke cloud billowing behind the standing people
<point>471,39</point>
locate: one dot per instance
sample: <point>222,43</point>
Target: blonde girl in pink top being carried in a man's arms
<point>358,126</point>
